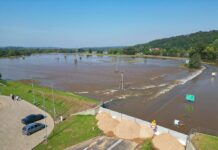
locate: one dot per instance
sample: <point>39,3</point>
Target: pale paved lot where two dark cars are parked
<point>11,137</point>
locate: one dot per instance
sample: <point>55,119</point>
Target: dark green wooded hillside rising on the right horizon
<point>203,43</point>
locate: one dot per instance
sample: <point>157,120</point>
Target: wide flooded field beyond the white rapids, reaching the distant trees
<point>94,76</point>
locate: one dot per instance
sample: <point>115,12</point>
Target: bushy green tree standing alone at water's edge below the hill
<point>195,60</point>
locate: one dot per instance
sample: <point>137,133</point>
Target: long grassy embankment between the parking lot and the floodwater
<point>65,102</point>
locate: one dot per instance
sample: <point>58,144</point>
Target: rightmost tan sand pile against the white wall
<point>166,142</point>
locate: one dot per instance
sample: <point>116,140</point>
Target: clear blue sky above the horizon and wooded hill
<point>98,23</point>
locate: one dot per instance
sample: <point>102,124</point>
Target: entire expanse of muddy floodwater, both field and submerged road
<point>143,78</point>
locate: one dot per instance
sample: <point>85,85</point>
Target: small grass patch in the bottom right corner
<point>205,142</point>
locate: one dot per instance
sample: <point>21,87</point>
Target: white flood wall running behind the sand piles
<point>182,138</point>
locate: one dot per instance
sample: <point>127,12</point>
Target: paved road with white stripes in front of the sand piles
<point>105,143</point>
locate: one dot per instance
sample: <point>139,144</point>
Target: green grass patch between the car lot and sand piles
<point>70,132</point>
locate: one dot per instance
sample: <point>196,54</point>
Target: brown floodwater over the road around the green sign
<point>200,115</point>
